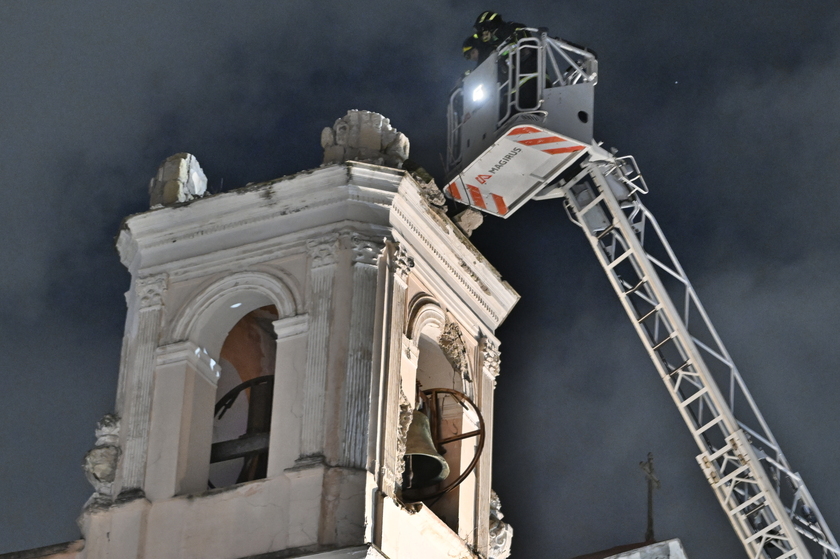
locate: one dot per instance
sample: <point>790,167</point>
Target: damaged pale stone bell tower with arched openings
<point>280,341</point>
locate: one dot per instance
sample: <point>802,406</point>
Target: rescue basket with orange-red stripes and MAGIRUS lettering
<point>505,140</point>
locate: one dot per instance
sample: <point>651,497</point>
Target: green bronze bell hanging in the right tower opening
<point>424,466</point>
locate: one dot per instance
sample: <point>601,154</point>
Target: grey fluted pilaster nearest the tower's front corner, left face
<point>356,401</point>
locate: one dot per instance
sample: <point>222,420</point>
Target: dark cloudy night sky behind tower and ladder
<point>730,108</point>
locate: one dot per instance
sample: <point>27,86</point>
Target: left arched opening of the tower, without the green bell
<point>244,394</point>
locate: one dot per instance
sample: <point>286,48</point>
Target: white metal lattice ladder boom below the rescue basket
<point>766,501</point>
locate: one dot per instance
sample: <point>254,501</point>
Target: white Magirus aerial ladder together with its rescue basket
<point>504,150</point>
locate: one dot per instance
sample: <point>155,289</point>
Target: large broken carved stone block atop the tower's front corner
<point>364,136</point>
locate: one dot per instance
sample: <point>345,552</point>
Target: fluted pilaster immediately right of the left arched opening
<point>323,253</point>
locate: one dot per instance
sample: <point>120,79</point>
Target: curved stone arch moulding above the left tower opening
<point>207,318</point>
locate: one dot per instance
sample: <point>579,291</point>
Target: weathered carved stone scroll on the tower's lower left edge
<point>100,463</point>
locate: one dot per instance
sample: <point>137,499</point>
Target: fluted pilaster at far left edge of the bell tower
<point>150,292</point>
